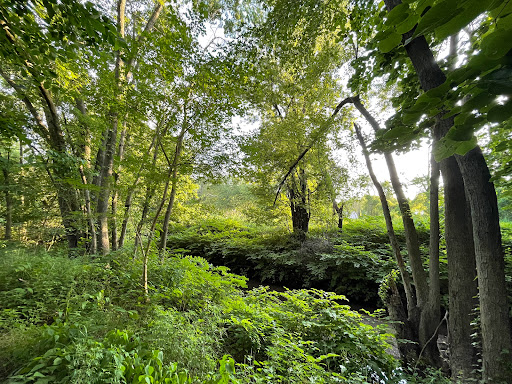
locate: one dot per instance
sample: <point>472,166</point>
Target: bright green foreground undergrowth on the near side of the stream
<point>87,320</point>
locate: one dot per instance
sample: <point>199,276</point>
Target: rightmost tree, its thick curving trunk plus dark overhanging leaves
<point>496,332</point>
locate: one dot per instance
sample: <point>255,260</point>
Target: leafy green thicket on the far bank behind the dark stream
<point>352,262</point>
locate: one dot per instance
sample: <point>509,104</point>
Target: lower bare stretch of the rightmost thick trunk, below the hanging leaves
<point>490,264</point>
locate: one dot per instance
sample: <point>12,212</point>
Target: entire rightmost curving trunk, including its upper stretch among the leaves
<point>496,333</point>
